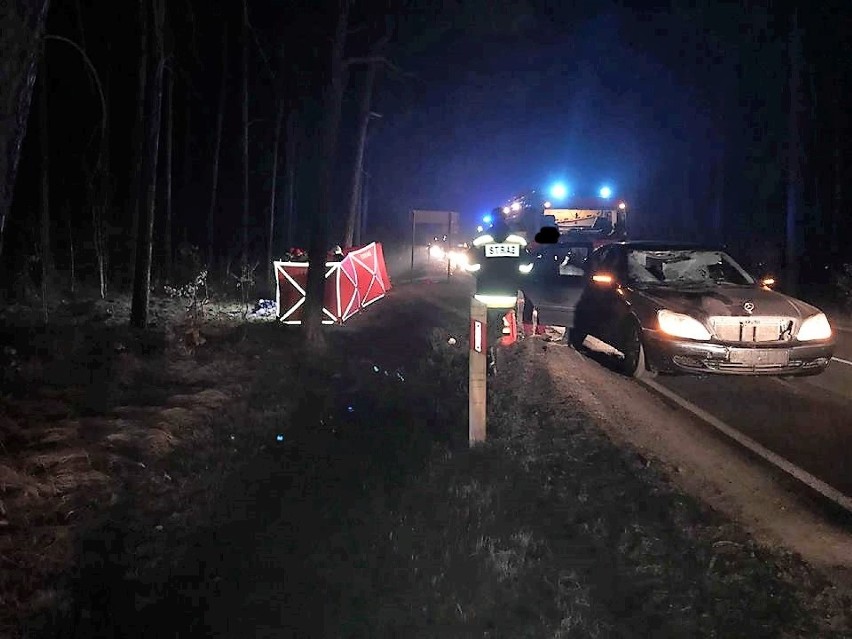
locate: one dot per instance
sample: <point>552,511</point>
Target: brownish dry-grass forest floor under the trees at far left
<point>100,423</point>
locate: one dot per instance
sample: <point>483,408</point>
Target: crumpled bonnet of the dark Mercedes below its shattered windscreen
<point>703,301</point>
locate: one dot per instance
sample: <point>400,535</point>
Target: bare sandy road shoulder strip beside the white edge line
<point>701,462</point>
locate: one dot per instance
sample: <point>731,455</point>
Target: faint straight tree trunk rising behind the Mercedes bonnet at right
<point>794,166</point>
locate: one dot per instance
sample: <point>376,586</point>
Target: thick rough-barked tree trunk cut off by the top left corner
<point>21,28</point>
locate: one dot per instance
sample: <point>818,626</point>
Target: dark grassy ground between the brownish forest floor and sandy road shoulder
<point>371,518</point>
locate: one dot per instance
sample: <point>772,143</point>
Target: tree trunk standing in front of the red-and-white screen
<point>332,103</point>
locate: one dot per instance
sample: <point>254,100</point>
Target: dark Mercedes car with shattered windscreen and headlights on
<point>683,308</point>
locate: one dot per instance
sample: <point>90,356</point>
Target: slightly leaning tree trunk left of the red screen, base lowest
<point>145,232</point>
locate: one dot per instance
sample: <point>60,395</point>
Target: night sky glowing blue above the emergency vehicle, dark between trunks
<point>681,107</point>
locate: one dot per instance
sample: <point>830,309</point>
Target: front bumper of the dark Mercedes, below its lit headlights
<point>673,355</point>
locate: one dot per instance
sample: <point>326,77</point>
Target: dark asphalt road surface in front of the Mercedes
<point>808,420</point>
